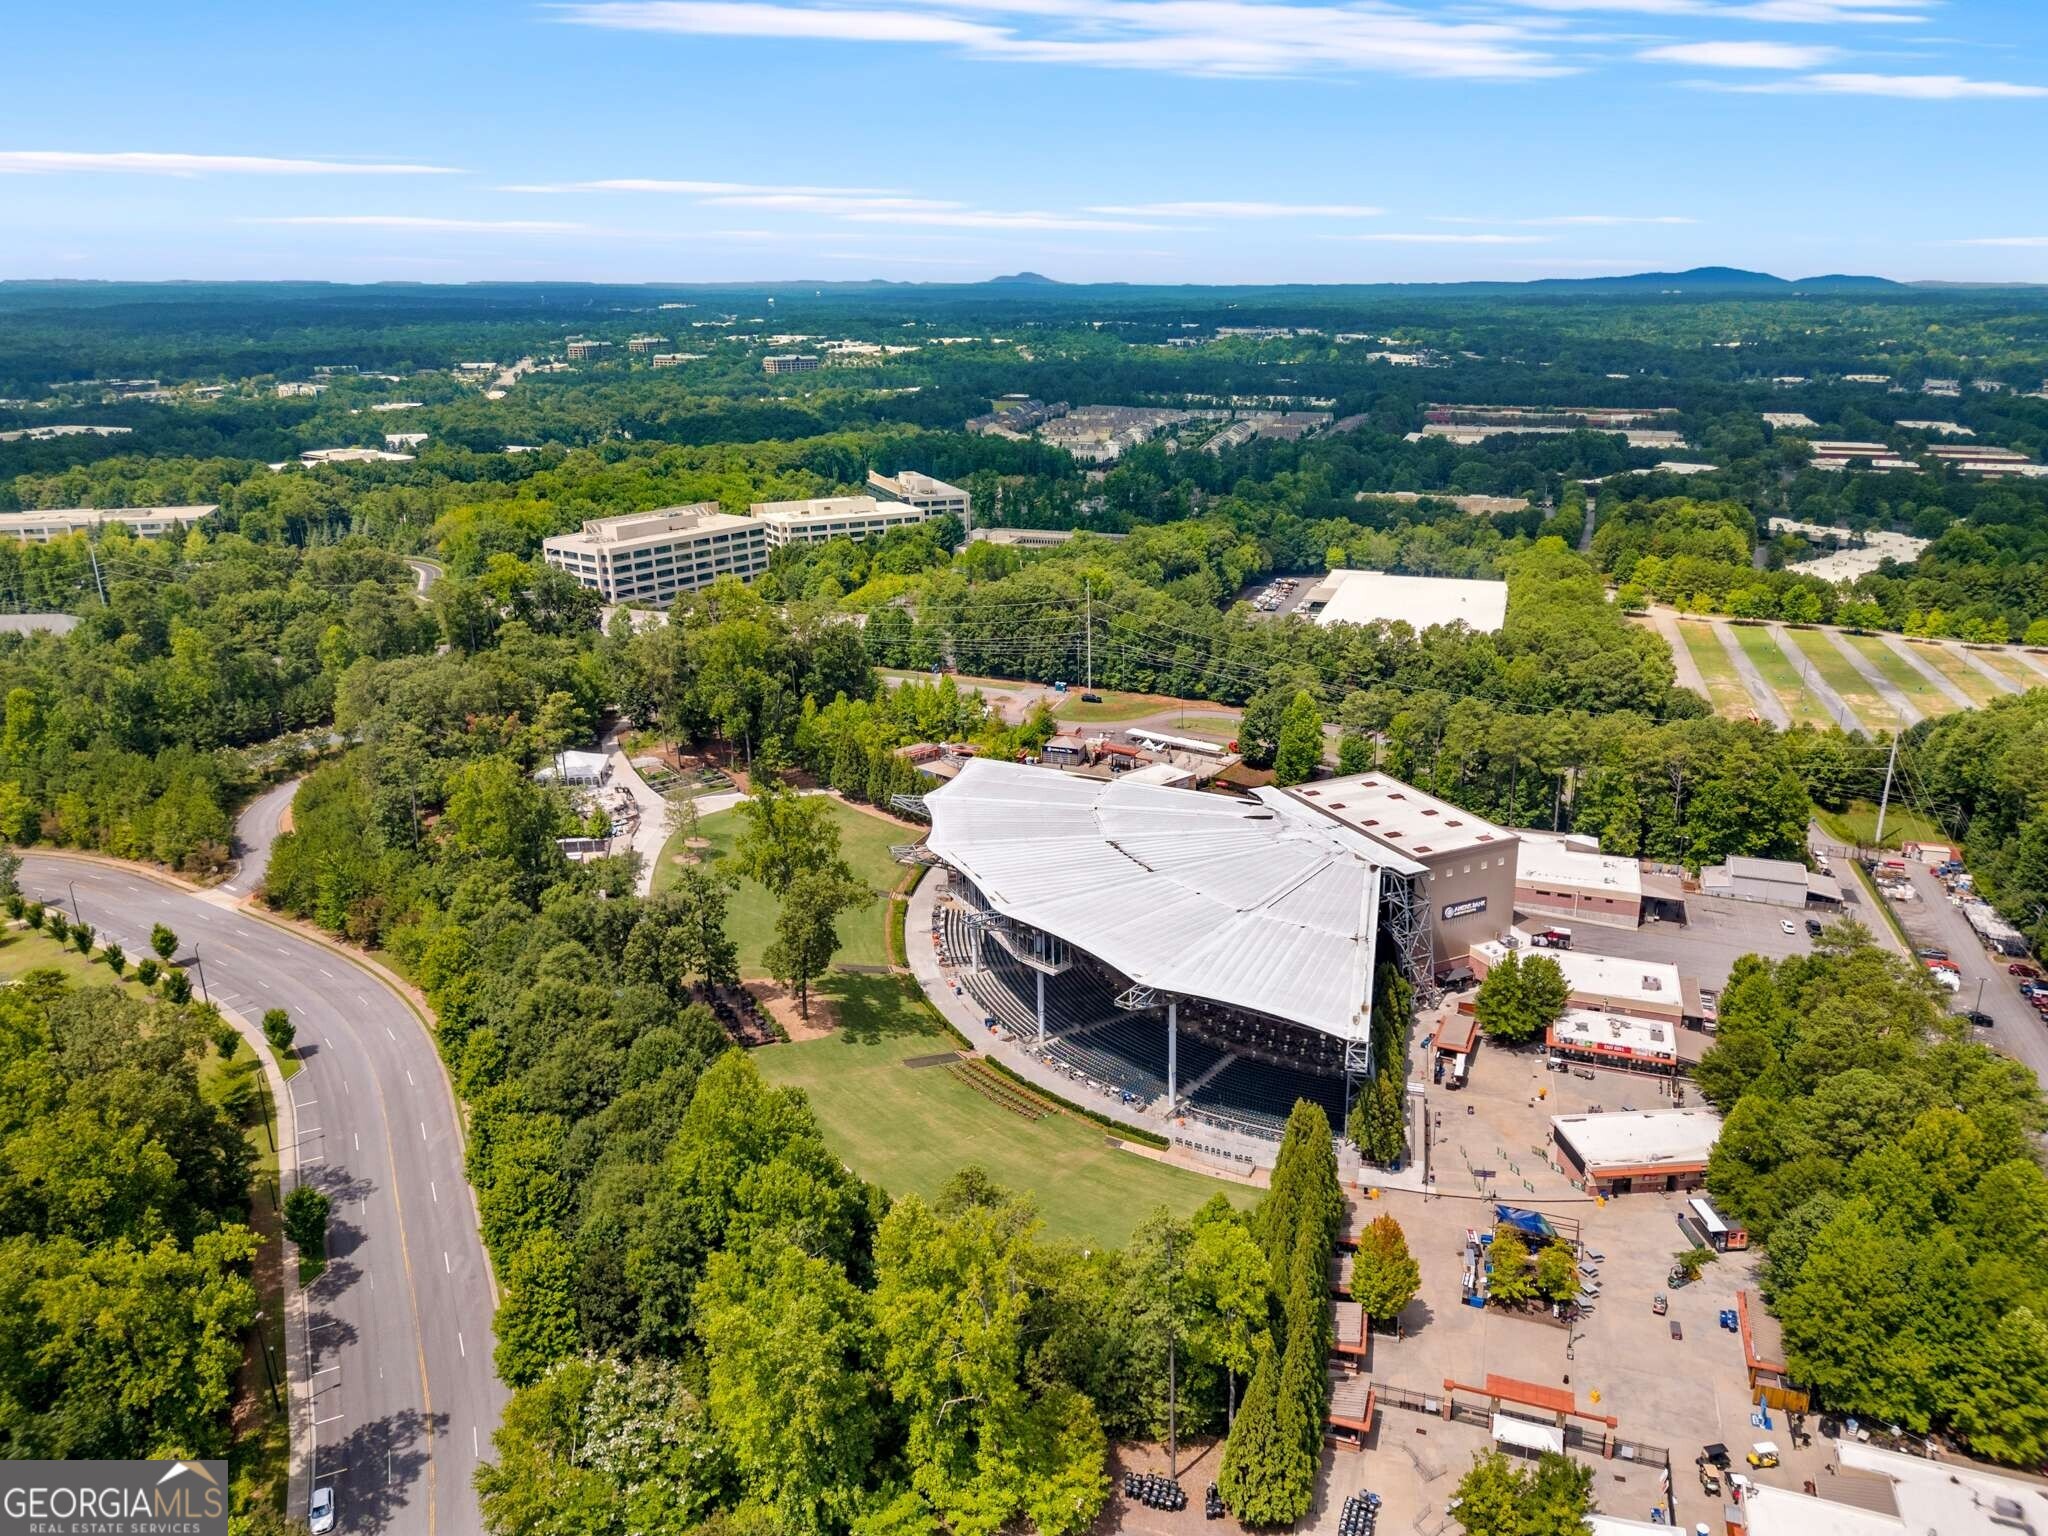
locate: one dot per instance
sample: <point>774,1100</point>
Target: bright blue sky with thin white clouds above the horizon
<point>951,140</point>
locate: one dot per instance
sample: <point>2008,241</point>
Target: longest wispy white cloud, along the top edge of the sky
<point>1203,38</point>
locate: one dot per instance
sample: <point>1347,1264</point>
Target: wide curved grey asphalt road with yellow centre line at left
<point>398,1332</point>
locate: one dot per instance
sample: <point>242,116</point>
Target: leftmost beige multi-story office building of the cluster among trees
<point>654,556</point>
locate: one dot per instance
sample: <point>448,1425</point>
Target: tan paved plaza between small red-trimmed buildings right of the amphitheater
<point>1490,1142</point>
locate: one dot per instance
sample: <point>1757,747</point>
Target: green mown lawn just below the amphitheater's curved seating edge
<point>912,1129</point>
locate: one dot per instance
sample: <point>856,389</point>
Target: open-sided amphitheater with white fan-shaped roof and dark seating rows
<point>1170,955</point>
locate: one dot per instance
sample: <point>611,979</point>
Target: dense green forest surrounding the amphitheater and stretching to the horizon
<point>714,1326</point>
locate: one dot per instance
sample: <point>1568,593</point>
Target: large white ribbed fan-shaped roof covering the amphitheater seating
<point>1252,904</point>
